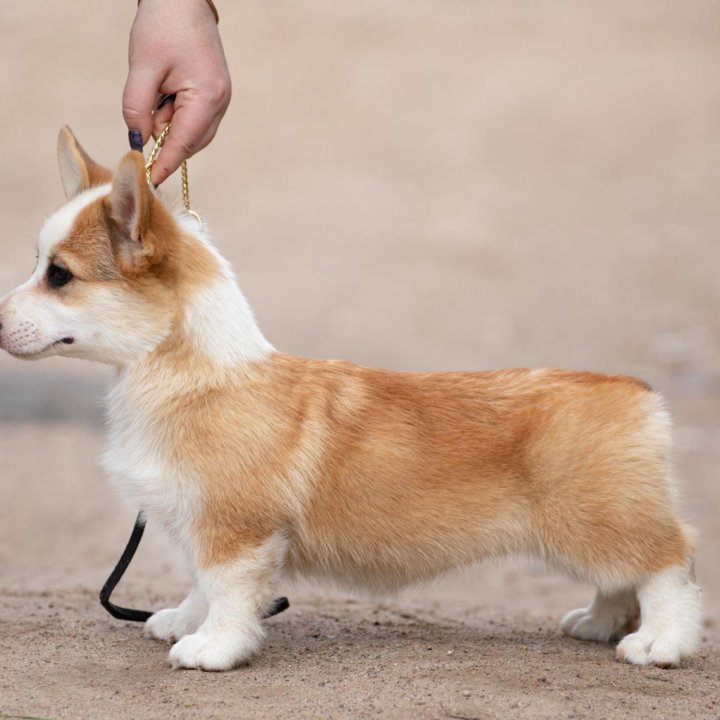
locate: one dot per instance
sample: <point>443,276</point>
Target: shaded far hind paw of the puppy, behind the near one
<point>609,617</point>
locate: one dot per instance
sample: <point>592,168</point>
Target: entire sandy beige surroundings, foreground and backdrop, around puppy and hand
<point>431,185</point>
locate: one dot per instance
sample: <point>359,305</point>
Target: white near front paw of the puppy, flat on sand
<point>214,652</point>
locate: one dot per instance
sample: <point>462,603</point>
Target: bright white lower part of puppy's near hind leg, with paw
<point>671,614</point>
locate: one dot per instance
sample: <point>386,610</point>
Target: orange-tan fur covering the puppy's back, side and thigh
<point>394,477</point>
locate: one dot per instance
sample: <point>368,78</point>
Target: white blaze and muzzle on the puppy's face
<point>34,321</point>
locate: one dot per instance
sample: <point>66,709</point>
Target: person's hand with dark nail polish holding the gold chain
<point>175,49</point>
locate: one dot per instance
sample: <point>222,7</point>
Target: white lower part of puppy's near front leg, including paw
<point>237,593</point>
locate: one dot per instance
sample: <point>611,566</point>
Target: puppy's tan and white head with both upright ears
<point>109,271</point>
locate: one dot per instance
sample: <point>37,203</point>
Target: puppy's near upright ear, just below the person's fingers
<point>130,202</point>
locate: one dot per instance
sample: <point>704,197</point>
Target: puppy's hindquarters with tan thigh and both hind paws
<point>622,532</point>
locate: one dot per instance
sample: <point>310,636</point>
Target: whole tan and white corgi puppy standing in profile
<point>260,464</point>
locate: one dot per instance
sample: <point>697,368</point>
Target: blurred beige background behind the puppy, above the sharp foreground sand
<point>436,184</point>
